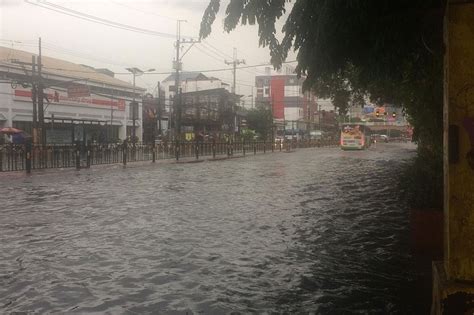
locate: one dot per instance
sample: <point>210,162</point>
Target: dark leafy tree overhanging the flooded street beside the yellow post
<point>387,49</point>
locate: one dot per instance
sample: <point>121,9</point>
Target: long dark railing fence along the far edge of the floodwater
<point>14,157</point>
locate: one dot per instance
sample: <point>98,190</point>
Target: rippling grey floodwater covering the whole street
<point>314,231</point>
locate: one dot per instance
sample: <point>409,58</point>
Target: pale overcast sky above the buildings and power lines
<point>98,45</point>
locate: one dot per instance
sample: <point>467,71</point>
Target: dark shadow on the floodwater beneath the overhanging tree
<point>355,240</point>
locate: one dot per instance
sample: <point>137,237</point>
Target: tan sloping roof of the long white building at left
<point>60,67</point>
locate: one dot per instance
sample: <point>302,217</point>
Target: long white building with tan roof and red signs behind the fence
<point>81,103</point>
